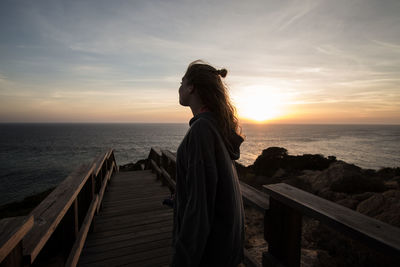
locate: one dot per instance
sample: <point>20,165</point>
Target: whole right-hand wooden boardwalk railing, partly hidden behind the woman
<point>283,207</point>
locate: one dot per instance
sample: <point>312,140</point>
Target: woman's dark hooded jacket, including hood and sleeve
<point>209,214</point>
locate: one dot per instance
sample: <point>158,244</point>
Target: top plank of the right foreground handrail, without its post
<point>374,233</point>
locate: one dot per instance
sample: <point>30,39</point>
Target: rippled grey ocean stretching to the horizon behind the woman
<point>37,156</point>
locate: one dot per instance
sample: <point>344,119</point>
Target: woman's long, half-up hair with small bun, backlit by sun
<point>207,81</point>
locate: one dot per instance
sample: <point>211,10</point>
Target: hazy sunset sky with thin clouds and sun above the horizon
<point>306,61</point>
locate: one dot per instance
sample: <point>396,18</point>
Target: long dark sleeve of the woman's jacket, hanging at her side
<point>201,183</point>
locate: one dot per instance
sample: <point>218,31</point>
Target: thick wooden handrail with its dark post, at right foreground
<point>288,204</point>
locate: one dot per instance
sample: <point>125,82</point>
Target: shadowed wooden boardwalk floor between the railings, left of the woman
<point>133,228</point>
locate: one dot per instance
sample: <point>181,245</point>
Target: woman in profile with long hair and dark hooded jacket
<point>208,210</point>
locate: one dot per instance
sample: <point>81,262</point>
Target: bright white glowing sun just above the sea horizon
<point>260,103</point>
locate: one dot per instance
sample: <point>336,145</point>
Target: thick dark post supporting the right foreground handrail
<point>282,231</point>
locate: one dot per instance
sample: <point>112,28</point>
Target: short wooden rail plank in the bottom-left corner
<point>12,230</point>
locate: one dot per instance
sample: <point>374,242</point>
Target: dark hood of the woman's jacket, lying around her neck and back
<point>232,142</point>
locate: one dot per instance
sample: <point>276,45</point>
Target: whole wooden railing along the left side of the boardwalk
<point>55,231</point>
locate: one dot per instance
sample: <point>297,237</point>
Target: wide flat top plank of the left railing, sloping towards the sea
<point>49,213</point>
